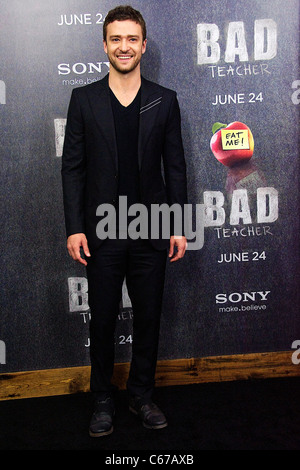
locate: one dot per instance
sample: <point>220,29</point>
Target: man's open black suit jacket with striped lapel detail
<point>90,160</point>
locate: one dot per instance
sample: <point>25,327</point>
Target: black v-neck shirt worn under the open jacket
<point>126,120</point>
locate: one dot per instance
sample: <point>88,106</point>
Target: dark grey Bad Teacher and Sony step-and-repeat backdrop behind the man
<point>235,67</point>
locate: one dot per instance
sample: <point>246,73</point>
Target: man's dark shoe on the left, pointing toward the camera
<point>102,420</point>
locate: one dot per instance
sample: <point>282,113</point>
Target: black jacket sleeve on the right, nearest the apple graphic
<point>174,160</point>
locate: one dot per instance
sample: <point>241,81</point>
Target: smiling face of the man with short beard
<point>124,45</point>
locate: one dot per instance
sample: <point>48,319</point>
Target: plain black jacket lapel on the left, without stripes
<point>101,106</point>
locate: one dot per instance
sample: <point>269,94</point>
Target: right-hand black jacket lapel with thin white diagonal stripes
<point>150,99</point>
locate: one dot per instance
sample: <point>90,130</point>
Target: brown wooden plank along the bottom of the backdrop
<point>69,380</point>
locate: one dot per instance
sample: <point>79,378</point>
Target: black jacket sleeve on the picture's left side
<point>74,168</point>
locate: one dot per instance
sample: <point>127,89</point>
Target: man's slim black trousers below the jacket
<point>144,270</point>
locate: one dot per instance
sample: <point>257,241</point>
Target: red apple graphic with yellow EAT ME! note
<point>233,147</point>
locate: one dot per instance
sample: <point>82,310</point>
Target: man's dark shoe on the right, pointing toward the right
<point>152,417</point>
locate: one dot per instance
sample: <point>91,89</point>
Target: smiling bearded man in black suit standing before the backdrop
<point>118,132</point>
